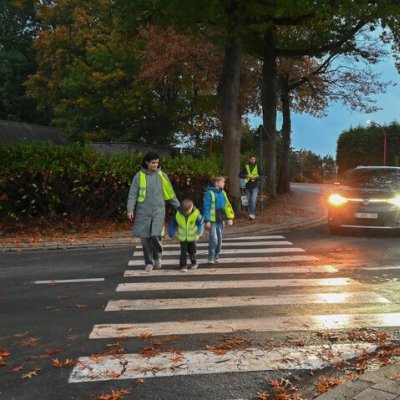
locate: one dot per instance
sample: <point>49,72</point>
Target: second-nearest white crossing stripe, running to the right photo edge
<point>288,323</point>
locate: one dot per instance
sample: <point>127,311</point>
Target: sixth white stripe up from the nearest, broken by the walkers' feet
<point>241,260</point>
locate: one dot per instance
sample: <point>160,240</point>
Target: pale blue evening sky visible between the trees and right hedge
<point>320,134</point>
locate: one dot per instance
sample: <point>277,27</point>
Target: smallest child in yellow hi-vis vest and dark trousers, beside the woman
<point>190,225</point>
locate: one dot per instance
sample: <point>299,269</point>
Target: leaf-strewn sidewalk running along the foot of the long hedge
<point>299,210</point>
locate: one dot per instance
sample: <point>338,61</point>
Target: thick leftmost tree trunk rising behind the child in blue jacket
<point>230,114</point>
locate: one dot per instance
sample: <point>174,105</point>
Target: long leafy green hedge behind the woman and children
<point>39,180</point>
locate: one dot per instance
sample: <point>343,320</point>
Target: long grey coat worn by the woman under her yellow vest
<point>150,214</point>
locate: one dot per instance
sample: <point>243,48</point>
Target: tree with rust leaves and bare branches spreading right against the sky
<point>307,85</point>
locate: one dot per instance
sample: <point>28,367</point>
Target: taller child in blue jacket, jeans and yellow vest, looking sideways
<point>216,209</point>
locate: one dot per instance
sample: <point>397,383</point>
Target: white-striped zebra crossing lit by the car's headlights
<point>246,263</point>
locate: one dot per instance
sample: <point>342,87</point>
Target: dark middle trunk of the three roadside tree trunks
<point>269,103</point>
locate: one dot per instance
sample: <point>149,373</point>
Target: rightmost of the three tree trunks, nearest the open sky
<point>284,169</point>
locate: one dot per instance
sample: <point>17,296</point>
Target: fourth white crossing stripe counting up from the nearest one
<point>236,284</point>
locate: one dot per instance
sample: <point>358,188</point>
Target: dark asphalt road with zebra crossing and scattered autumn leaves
<point>188,337</point>
